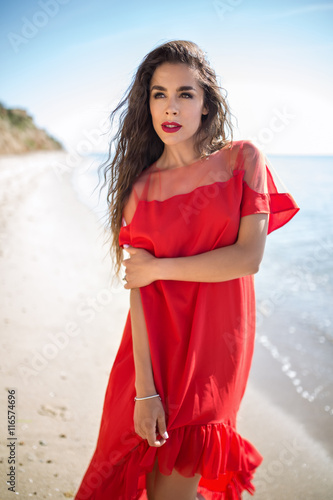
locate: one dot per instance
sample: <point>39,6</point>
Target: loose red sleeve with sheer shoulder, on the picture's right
<point>263,192</point>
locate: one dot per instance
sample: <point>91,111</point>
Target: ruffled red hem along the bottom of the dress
<point>225,461</point>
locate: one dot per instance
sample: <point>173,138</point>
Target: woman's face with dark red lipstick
<point>176,103</point>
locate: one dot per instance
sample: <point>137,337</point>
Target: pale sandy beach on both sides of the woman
<point>62,318</point>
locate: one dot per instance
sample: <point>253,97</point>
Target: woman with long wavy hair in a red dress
<point>192,210</point>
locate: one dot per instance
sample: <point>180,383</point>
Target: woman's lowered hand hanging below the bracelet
<point>149,421</point>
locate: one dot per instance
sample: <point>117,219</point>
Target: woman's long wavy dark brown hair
<point>136,145</point>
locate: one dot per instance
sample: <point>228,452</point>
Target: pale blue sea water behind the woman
<point>294,341</point>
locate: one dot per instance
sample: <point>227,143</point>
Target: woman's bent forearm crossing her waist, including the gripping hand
<point>222,264</point>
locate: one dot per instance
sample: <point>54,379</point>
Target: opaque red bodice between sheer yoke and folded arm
<point>206,218</point>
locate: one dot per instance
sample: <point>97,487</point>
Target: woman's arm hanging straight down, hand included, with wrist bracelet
<point>148,414</point>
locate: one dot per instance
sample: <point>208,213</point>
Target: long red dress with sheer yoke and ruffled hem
<point>201,335</point>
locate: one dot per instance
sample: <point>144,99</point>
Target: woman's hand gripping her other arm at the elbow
<point>140,268</point>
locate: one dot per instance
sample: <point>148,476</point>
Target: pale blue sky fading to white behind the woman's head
<point>68,62</point>
